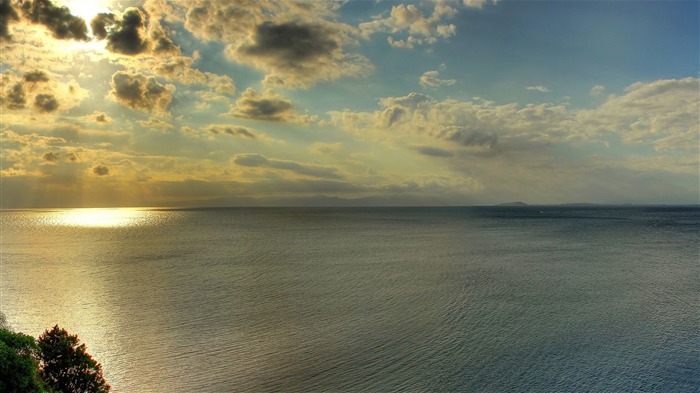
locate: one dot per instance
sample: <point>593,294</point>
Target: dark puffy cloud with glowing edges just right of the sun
<point>128,34</point>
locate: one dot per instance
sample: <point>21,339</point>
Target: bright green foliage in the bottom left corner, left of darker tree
<point>18,363</point>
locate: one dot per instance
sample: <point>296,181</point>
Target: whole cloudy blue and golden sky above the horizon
<point>253,103</point>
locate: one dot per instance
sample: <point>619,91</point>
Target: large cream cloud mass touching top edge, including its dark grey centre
<point>297,44</point>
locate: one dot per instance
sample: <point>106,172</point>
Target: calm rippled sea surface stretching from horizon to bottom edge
<point>517,299</point>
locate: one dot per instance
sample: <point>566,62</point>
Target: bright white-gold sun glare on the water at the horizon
<point>94,217</point>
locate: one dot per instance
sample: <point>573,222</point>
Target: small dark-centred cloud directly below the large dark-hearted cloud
<point>267,106</point>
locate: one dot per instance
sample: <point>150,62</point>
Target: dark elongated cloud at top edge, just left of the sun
<point>58,20</point>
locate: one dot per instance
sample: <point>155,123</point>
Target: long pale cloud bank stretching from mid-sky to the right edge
<point>661,114</point>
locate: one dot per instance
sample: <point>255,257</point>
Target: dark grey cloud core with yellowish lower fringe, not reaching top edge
<point>299,54</point>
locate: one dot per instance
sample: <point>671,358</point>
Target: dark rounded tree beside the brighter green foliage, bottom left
<point>66,366</point>
